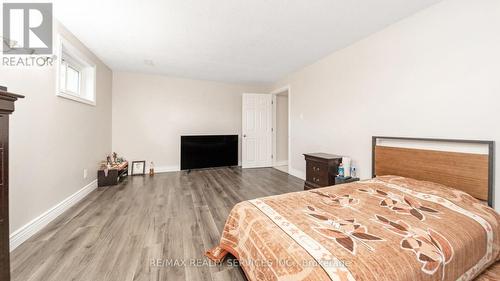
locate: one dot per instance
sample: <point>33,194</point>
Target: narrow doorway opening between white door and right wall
<point>281,129</point>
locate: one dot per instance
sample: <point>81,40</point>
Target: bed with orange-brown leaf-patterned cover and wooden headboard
<point>406,223</point>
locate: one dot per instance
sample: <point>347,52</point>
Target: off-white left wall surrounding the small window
<point>53,139</point>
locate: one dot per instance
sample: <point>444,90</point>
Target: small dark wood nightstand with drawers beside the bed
<point>321,169</point>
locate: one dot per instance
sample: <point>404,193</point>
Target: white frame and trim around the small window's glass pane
<point>80,63</point>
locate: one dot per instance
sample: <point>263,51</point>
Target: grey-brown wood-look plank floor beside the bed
<point>124,232</point>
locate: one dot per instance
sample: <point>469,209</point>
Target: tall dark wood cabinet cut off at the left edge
<point>6,108</point>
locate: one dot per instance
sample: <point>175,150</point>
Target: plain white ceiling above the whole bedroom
<point>245,41</point>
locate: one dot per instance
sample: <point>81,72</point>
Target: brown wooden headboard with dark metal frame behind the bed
<point>471,172</point>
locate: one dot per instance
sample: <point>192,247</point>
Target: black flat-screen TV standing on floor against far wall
<point>209,151</point>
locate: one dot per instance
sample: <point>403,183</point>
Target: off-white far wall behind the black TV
<point>151,112</point>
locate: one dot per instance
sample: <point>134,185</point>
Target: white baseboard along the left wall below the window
<point>26,231</point>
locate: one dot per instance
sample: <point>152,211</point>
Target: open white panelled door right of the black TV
<point>257,138</point>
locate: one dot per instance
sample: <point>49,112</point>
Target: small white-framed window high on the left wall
<point>76,74</point>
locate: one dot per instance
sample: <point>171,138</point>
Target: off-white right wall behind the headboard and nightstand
<point>434,74</point>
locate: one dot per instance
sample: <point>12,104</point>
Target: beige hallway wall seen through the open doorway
<point>282,127</point>
